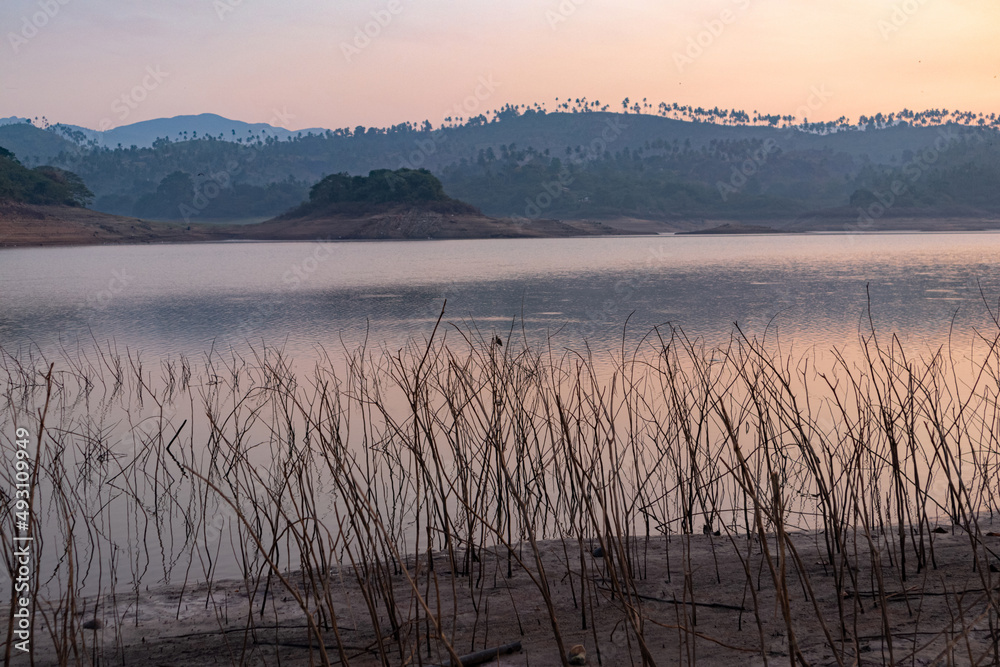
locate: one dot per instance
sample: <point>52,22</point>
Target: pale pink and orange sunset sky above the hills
<point>285,62</point>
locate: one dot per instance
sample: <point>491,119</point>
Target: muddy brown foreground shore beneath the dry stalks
<point>697,599</point>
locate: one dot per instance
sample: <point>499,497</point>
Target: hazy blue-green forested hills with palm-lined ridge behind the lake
<point>583,161</point>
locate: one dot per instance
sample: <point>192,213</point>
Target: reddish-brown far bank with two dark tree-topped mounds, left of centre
<point>46,206</point>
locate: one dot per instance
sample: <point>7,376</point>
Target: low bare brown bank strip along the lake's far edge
<point>25,225</point>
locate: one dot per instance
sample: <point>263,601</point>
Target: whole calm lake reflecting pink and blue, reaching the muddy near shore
<point>205,399</point>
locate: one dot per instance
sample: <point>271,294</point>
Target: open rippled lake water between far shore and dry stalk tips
<point>167,300</point>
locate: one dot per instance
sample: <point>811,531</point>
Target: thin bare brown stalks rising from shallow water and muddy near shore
<point>667,502</point>
